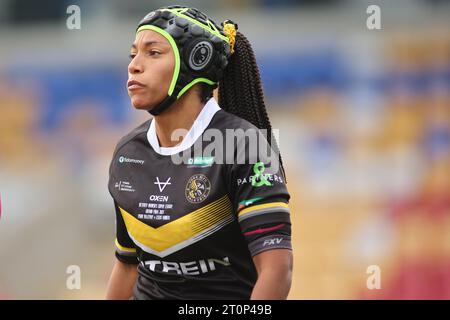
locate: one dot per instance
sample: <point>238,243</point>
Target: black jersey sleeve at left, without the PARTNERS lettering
<point>125,248</point>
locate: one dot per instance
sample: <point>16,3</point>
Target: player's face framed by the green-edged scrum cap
<point>150,70</point>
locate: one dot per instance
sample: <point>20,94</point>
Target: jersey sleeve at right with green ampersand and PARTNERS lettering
<point>260,197</point>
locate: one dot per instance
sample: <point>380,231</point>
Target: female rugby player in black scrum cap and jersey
<point>202,227</point>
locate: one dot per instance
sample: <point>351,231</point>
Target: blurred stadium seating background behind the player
<point>365,133</point>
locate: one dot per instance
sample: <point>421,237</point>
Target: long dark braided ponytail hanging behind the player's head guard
<point>241,92</point>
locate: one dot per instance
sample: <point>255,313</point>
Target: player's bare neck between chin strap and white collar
<point>181,115</point>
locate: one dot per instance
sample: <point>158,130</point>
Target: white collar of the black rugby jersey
<point>200,124</point>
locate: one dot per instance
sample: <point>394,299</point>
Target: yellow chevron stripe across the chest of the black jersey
<point>181,232</point>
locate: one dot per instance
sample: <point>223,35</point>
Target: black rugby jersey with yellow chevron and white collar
<point>193,227</point>
